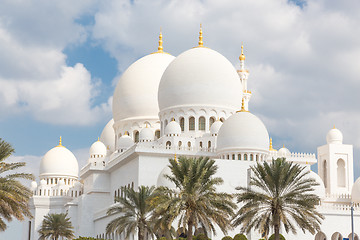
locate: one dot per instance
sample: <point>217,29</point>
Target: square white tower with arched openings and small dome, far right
<point>335,164</point>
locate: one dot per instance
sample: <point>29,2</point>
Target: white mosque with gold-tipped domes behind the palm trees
<point>195,104</point>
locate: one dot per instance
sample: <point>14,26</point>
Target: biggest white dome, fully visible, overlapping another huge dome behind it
<point>200,77</point>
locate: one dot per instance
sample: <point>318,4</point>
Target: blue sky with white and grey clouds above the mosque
<point>60,61</point>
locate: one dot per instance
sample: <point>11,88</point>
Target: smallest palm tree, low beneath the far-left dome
<point>56,225</point>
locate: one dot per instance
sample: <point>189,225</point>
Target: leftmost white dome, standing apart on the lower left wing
<point>59,161</point>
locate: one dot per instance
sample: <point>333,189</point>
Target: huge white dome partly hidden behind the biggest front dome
<point>136,92</point>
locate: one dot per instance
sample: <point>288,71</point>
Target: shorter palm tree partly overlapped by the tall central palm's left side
<point>135,209</point>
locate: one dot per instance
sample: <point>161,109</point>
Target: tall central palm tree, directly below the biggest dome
<point>194,201</point>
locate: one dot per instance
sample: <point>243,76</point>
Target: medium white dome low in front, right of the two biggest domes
<point>243,131</point>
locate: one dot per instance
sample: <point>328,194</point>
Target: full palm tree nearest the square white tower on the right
<point>280,193</point>
